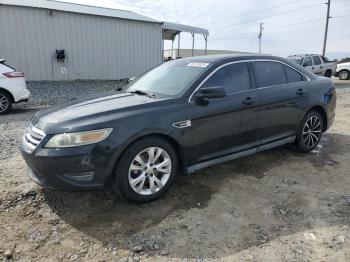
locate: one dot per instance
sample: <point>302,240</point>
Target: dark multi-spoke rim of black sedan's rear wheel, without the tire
<point>312,131</point>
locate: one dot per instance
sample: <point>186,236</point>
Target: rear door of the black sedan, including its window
<point>283,100</point>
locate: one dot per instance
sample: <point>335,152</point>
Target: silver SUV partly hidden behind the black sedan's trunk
<point>317,64</point>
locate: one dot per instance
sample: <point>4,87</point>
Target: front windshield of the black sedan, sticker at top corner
<point>170,79</point>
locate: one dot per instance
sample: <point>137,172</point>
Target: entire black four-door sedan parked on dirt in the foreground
<point>180,117</point>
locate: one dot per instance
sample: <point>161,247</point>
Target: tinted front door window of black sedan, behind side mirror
<point>234,78</point>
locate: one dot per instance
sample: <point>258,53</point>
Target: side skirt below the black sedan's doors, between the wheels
<point>196,167</point>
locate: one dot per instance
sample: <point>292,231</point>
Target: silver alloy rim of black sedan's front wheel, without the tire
<point>149,171</point>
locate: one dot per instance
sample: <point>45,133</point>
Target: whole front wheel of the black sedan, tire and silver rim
<point>146,170</point>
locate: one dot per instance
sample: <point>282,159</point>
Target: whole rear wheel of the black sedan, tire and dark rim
<point>310,132</point>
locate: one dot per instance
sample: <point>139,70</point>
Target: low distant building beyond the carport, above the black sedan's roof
<point>197,52</point>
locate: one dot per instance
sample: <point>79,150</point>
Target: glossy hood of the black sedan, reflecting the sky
<point>71,116</point>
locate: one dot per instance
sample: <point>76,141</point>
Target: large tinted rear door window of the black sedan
<point>269,74</point>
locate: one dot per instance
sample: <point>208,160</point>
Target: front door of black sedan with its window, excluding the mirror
<point>226,125</point>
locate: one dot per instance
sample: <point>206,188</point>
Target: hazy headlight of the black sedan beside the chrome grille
<point>78,139</point>
